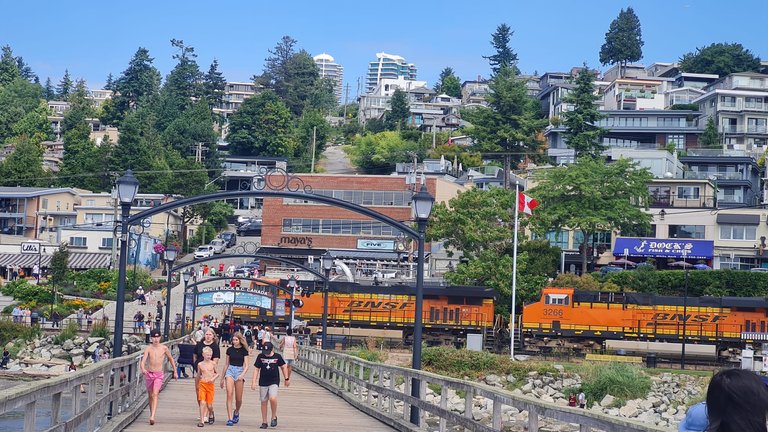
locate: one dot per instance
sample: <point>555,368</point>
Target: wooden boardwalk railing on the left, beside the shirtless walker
<point>105,396</point>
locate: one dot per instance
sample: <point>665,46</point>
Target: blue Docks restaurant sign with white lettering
<point>664,248</point>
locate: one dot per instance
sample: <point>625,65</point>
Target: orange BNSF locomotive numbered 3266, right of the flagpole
<point>584,319</point>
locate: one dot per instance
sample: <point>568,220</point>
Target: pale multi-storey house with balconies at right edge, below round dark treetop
<point>739,105</point>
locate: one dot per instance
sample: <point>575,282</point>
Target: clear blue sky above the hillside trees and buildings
<point>92,38</point>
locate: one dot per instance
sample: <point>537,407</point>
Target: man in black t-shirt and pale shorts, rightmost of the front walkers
<point>266,371</point>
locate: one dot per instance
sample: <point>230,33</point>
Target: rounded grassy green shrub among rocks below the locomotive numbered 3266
<point>621,380</point>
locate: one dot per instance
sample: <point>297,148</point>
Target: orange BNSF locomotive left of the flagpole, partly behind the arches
<point>450,312</point>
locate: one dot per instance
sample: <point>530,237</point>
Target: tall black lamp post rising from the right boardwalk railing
<point>421,205</point>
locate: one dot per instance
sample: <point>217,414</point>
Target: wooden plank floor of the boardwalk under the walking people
<point>304,406</point>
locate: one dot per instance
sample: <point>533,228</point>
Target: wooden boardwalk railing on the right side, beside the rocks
<point>384,392</point>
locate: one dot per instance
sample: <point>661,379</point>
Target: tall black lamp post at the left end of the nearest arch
<point>127,187</point>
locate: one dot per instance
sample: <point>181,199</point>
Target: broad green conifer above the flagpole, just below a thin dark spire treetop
<point>511,122</point>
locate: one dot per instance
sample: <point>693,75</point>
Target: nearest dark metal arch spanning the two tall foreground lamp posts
<point>216,196</point>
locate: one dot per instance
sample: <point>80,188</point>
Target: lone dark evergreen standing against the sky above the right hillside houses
<point>623,41</point>
